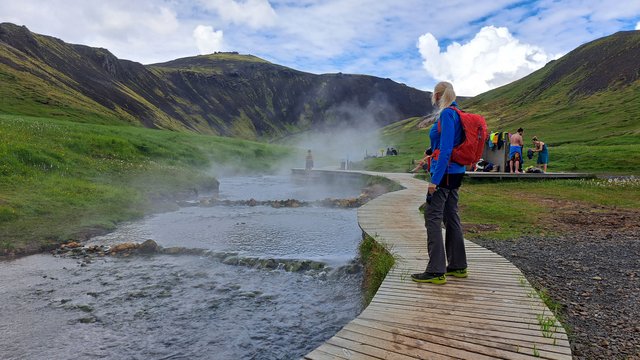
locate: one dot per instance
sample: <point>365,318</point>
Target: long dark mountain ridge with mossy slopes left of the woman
<point>223,93</point>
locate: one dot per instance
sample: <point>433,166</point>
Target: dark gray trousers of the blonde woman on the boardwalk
<point>444,208</point>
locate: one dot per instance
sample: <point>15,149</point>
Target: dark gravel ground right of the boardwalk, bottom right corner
<point>594,274</point>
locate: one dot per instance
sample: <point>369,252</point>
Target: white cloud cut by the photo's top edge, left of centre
<point>254,13</point>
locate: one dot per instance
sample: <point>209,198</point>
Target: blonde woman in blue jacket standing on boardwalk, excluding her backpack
<point>442,195</point>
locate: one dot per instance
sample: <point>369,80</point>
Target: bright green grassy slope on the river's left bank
<point>63,180</point>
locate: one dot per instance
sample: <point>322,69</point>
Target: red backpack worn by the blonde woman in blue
<point>474,129</point>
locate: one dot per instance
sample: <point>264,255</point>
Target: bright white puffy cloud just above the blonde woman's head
<point>491,59</point>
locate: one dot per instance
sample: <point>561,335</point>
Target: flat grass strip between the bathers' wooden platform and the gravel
<point>512,209</point>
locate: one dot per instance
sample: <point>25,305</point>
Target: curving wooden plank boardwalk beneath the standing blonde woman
<point>494,313</point>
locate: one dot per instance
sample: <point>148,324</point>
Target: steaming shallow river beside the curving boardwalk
<point>194,307</point>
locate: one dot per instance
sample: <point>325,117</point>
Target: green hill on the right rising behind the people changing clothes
<point>585,106</point>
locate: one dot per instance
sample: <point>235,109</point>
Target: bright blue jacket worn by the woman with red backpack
<point>450,136</point>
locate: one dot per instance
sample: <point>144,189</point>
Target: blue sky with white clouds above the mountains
<point>477,45</point>
